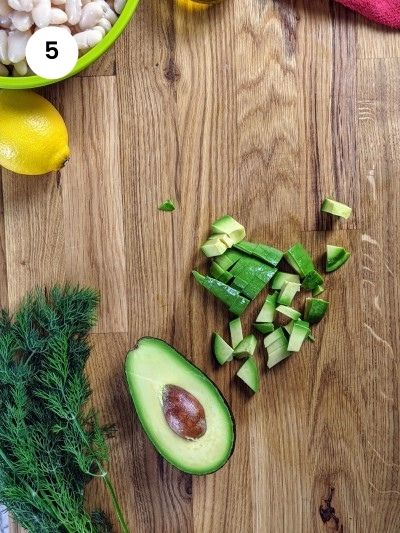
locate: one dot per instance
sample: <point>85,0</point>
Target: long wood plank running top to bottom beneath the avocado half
<point>147,109</point>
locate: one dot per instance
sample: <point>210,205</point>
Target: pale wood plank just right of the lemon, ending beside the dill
<point>92,200</point>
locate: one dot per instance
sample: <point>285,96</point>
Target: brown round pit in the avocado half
<point>183,412</point>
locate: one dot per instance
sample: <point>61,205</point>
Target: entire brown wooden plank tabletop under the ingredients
<point>259,109</point>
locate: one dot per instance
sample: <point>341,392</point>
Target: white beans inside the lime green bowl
<point>87,20</point>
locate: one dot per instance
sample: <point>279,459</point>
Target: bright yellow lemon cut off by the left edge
<point>33,135</point>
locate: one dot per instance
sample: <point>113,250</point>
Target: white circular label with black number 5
<point>52,52</point>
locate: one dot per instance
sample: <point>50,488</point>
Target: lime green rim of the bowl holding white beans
<point>30,82</point>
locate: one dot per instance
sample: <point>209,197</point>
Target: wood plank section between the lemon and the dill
<point>34,233</point>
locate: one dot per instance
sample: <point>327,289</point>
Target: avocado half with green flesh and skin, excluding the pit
<point>151,368</point>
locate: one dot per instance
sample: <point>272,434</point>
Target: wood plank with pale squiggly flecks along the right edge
<point>378,119</point>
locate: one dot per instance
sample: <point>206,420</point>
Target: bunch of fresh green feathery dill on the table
<point>51,443</point>
